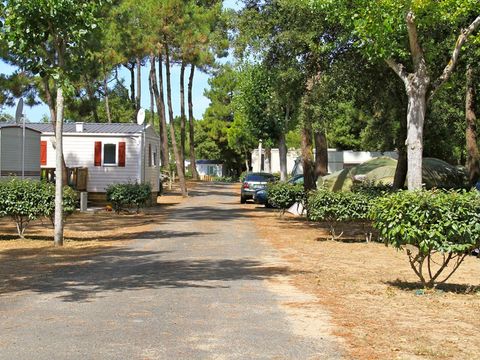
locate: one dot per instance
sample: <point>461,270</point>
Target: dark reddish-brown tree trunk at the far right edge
<point>473,156</point>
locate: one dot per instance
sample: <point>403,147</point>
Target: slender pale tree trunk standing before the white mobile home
<point>58,222</point>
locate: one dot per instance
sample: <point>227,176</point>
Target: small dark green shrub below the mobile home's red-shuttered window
<point>125,196</point>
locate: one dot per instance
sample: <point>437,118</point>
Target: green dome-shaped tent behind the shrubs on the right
<point>436,174</point>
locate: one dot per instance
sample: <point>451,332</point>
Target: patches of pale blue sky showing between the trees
<point>200,102</point>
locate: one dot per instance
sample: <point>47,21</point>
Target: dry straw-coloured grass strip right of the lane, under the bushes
<point>373,294</point>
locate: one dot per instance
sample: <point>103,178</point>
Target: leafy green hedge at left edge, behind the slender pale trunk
<point>27,200</point>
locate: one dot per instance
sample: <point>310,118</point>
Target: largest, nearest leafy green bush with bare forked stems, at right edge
<point>436,229</point>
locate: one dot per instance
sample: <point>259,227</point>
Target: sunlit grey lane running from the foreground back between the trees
<point>200,286</point>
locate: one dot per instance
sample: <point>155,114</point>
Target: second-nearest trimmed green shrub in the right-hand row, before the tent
<point>334,207</point>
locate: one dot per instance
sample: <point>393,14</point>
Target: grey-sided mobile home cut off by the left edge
<point>14,152</point>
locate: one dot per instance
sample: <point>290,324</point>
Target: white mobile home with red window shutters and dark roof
<point>112,153</point>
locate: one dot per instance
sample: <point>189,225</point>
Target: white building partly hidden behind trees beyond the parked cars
<point>337,160</point>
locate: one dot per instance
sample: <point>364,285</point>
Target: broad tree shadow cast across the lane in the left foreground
<point>81,276</point>
